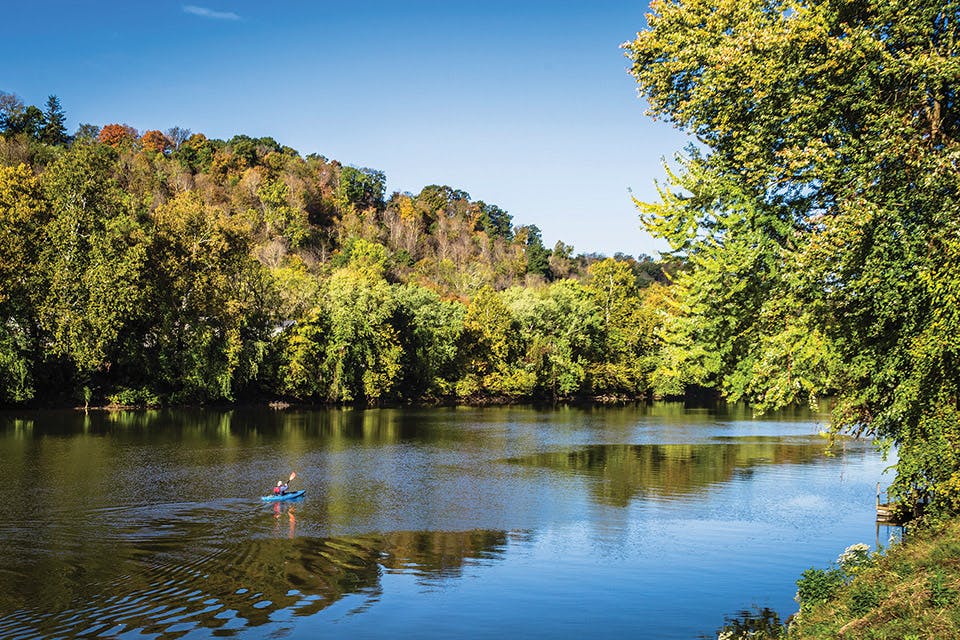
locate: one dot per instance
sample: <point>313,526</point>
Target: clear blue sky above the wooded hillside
<point>526,105</point>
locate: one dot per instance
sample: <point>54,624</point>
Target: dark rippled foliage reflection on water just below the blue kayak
<point>167,578</point>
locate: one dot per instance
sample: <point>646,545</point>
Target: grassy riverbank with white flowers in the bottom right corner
<point>911,590</point>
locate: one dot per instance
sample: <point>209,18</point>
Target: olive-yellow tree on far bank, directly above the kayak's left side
<point>211,302</point>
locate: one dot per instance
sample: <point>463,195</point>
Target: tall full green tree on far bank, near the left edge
<point>93,255</point>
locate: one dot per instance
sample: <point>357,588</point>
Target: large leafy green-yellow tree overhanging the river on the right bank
<point>819,210</point>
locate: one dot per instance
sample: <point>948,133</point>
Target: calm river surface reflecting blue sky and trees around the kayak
<point>650,522</point>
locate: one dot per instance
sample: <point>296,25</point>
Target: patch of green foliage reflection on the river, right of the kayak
<point>625,472</point>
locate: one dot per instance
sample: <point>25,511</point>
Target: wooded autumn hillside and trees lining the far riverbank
<point>169,267</point>
